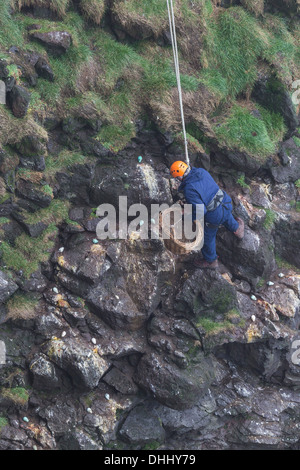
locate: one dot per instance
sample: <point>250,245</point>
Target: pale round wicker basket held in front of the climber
<point>178,246</point>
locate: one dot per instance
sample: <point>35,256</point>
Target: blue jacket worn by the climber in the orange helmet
<point>199,187</point>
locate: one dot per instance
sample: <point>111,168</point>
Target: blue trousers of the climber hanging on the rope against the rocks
<point>220,216</point>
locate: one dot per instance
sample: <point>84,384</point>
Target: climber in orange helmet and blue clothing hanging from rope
<point>199,187</point>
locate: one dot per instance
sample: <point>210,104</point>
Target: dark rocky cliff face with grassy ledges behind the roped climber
<point>122,344</point>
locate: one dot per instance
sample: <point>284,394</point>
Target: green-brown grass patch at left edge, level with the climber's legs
<point>28,253</point>
